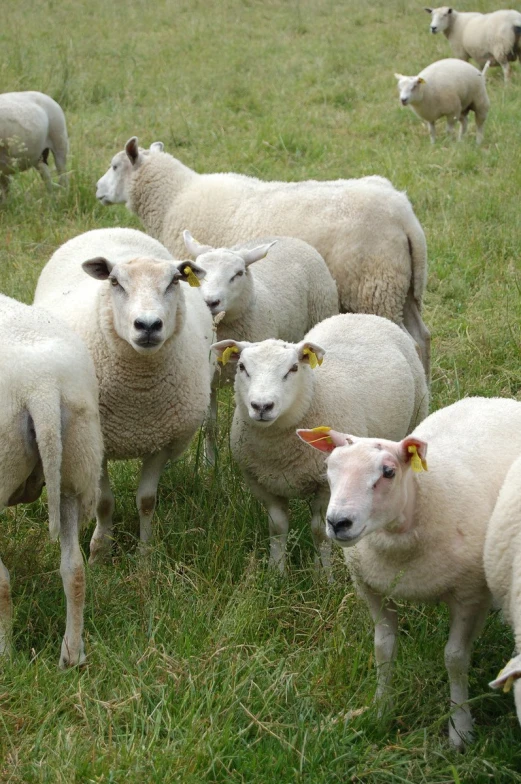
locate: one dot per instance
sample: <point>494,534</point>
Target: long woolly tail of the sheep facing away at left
<point>46,414</point>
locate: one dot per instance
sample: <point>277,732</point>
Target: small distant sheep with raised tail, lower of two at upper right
<point>447,88</point>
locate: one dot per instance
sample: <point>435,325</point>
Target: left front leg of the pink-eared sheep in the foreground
<point>385,617</point>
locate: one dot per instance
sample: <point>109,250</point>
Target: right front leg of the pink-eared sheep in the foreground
<point>466,622</point>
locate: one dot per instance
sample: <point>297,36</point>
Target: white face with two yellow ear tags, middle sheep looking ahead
<point>272,376</point>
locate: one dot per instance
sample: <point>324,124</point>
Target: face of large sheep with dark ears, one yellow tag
<point>145,298</point>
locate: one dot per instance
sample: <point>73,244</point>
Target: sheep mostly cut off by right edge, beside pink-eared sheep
<point>502,559</point>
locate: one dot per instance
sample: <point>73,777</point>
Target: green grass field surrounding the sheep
<point>202,665</point>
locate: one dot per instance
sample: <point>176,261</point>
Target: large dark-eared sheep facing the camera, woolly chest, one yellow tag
<point>150,341</point>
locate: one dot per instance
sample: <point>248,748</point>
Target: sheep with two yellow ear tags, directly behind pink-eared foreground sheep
<point>371,378</point>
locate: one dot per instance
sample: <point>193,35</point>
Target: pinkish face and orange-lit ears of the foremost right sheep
<point>370,482</point>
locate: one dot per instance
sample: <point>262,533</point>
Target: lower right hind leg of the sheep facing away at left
<point>73,576</point>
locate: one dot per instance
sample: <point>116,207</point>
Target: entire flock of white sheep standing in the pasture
<point>291,291</point>
